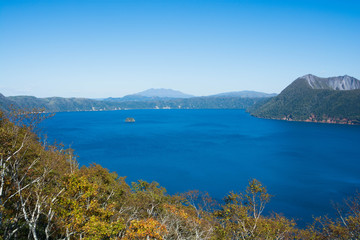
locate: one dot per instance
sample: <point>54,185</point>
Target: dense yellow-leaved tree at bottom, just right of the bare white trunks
<point>82,215</point>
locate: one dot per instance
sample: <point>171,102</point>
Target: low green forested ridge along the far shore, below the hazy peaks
<point>57,104</point>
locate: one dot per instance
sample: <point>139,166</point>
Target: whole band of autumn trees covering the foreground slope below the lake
<point>45,195</point>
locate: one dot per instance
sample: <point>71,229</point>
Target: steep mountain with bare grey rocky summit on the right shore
<point>314,99</point>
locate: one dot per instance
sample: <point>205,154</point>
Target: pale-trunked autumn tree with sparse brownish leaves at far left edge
<point>28,173</point>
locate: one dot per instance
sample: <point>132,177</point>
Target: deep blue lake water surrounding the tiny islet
<point>304,165</point>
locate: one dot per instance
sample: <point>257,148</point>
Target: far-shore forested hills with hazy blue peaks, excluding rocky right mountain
<point>149,99</point>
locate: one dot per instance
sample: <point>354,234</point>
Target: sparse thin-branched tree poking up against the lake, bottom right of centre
<point>241,216</point>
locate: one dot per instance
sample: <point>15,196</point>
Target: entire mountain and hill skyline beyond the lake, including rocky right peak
<point>308,98</point>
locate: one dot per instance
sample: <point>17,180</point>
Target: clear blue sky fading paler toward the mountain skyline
<point>107,48</point>
